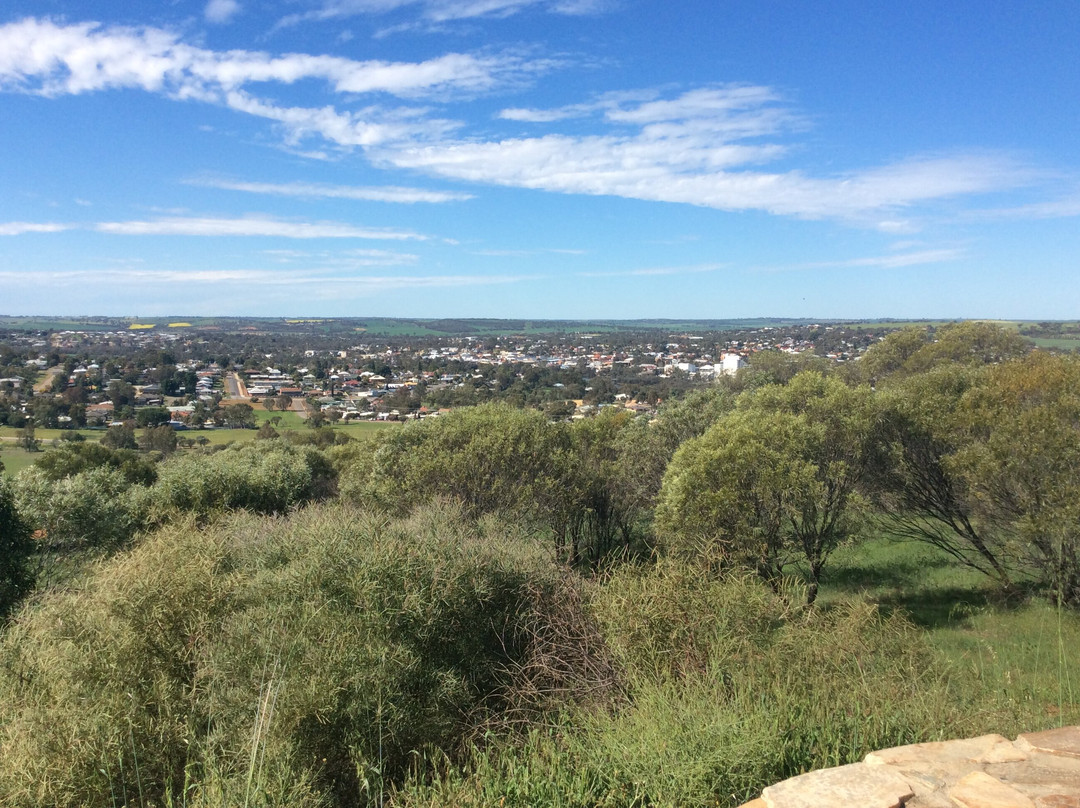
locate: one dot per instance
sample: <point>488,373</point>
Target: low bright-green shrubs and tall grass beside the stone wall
<point>728,689</point>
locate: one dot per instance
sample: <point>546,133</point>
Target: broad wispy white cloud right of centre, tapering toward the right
<point>701,147</point>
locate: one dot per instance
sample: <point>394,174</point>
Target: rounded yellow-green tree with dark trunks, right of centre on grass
<point>774,482</point>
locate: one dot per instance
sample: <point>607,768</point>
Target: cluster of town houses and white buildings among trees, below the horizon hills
<point>99,378</point>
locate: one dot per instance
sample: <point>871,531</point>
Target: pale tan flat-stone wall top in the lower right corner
<point>1037,771</point>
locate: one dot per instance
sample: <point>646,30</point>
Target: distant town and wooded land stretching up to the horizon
<point>213,374</point>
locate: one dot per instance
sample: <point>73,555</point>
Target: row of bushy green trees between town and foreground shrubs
<point>963,438</point>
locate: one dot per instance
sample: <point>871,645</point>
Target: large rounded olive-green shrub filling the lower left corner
<point>265,662</point>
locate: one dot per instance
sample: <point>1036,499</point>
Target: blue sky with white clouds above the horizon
<point>541,158</point>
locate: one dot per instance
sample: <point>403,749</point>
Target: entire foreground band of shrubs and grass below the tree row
<point>331,657</point>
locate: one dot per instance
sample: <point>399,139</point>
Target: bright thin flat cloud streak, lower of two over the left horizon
<point>251,226</point>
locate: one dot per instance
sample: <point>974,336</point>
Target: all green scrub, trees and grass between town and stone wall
<point>781,572</point>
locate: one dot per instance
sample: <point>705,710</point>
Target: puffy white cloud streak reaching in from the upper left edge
<point>44,58</point>
